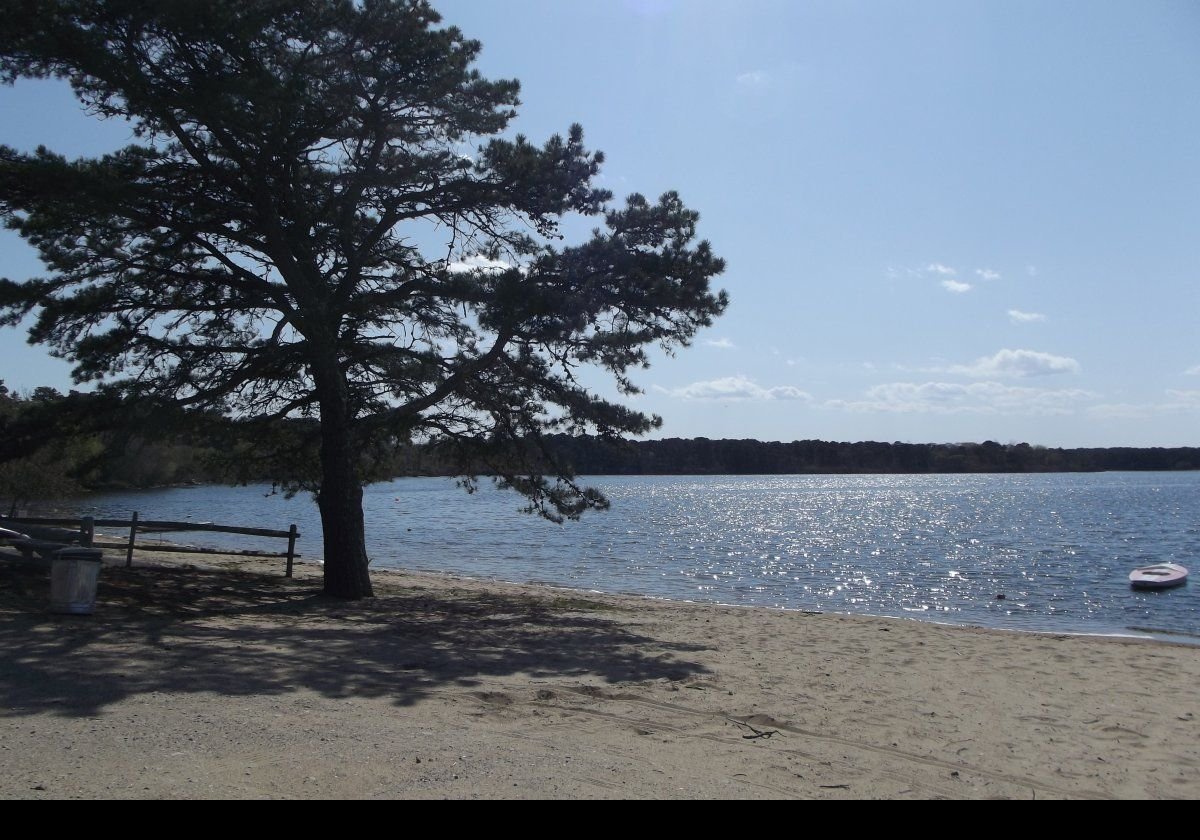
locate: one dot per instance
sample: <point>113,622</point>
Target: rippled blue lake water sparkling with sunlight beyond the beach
<point>939,548</point>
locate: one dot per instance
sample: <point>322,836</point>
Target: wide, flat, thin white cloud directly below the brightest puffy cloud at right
<point>980,398</point>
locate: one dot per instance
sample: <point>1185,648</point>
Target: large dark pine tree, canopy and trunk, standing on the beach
<point>320,219</point>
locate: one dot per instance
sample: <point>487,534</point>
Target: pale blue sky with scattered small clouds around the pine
<point>944,221</point>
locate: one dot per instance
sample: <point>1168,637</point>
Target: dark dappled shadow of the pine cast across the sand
<point>237,634</point>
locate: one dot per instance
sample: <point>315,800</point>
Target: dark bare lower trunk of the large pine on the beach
<point>341,505</point>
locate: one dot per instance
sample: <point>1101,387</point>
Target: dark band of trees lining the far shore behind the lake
<point>53,446</point>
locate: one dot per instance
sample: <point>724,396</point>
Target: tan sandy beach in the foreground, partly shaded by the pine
<point>220,679</point>
